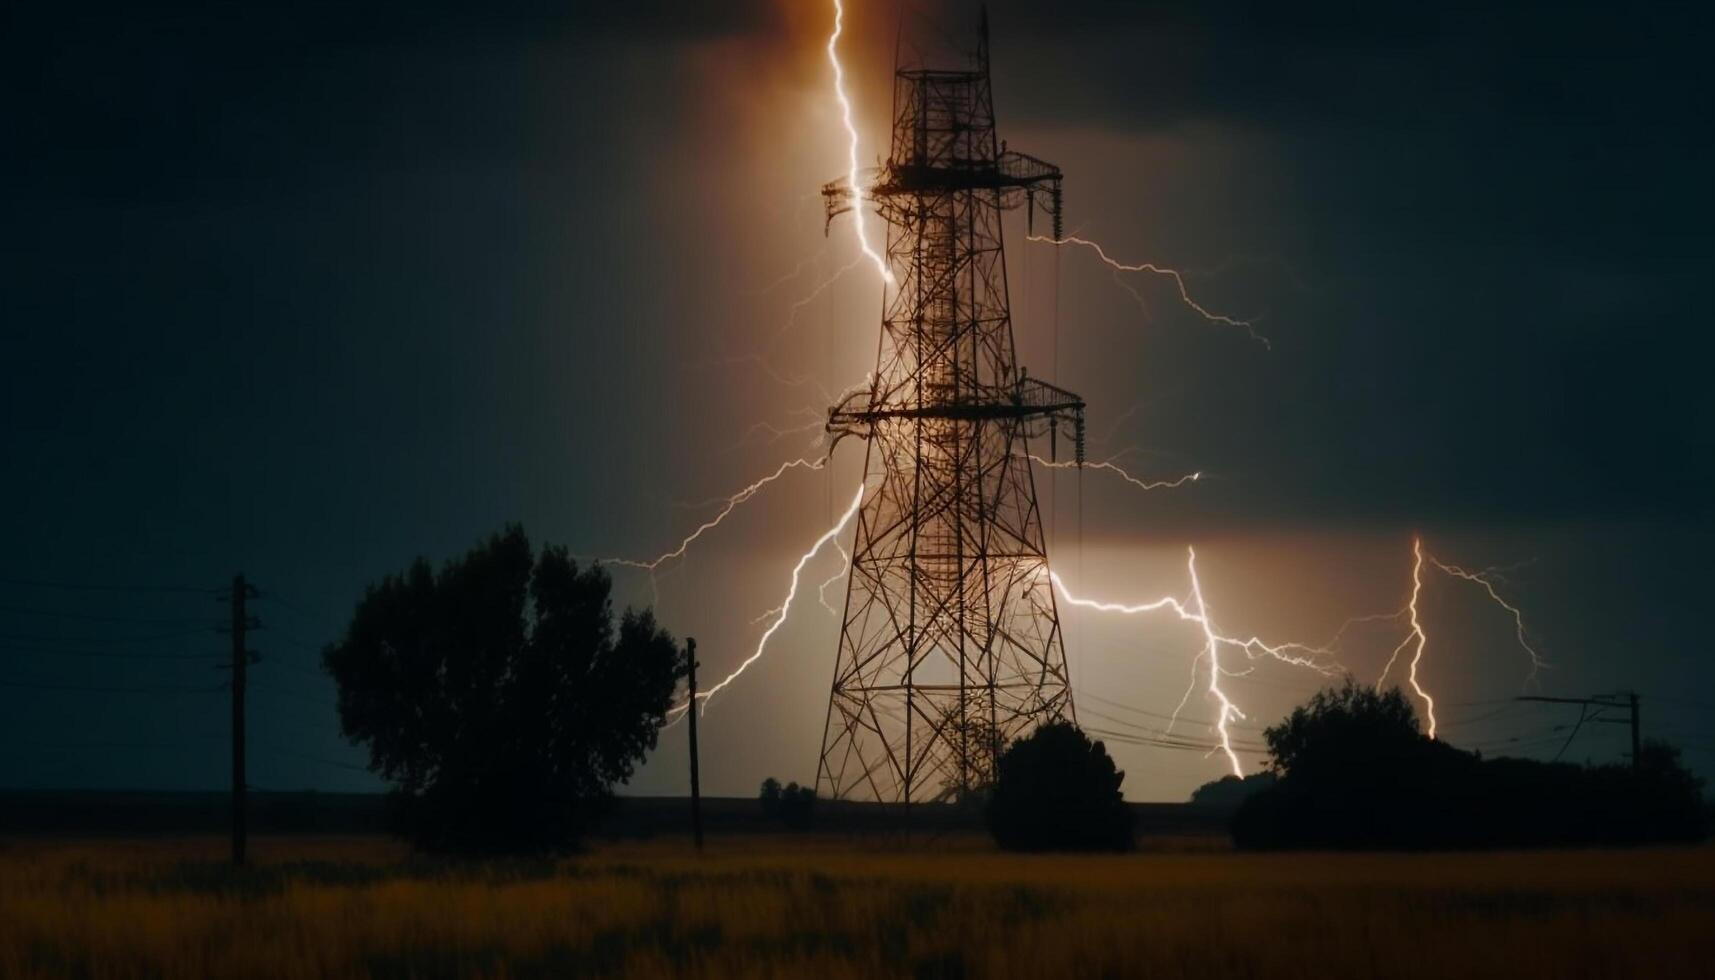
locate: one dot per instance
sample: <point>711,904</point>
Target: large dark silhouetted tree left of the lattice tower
<point>500,698</point>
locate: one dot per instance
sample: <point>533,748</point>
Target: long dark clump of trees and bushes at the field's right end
<point>1357,773</point>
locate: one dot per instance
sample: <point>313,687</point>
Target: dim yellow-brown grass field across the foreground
<point>779,907</point>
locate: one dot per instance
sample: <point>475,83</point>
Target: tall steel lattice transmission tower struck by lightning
<point>951,641</point>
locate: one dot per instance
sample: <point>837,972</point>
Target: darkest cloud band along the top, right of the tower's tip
<point>1388,64</point>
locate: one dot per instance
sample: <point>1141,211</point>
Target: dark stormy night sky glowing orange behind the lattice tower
<point>308,291</point>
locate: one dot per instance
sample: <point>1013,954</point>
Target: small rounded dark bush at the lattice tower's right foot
<point>1057,790</point>
